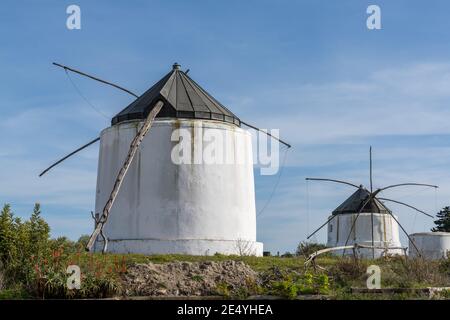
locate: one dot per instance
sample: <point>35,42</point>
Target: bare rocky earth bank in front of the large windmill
<point>187,278</point>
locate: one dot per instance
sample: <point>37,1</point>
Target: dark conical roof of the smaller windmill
<point>355,202</point>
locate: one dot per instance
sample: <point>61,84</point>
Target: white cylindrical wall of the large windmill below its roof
<point>164,207</point>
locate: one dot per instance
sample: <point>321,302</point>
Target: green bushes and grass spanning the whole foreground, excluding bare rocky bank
<point>34,266</point>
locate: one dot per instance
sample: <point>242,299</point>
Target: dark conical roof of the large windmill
<point>183,98</point>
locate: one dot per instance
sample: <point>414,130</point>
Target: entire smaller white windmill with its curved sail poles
<point>365,224</point>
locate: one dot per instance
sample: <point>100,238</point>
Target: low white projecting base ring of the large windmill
<point>190,247</point>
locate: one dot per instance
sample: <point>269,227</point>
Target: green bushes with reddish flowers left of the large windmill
<point>33,263</point>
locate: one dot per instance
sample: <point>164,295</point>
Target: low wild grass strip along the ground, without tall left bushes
<point>282,276</point>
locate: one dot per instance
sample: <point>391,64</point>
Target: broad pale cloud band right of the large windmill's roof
<point>406,101</point>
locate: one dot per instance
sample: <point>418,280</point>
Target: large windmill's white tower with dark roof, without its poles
<point>190,187</point>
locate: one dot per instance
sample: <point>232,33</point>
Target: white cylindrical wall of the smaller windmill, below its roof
<point>386,233</point>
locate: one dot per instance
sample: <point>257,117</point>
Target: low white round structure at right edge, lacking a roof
<point>431,245</point>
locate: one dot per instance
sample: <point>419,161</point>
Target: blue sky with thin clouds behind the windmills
<point>310,68</point>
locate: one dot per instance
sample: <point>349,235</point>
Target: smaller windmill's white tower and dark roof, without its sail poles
<point>385,229</point>
